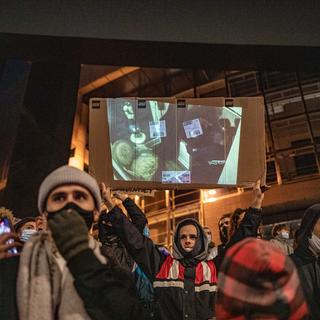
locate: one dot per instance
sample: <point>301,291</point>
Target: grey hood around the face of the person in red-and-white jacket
<point>178,253</point>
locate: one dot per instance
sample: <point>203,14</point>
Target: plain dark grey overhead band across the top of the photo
<point>242,22</point>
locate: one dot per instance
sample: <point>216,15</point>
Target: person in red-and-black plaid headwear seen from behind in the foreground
<point>257,281</point>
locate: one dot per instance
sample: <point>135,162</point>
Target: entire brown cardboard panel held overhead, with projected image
<point>168,143</point>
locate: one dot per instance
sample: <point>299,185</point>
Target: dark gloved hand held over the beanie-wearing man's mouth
<point>69,232</point>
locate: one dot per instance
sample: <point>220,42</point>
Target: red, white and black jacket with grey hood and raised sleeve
<point>184,283</point>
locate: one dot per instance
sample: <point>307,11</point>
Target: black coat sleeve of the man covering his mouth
<point>107,292</point>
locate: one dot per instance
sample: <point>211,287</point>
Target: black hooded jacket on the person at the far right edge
<point>307,263</point>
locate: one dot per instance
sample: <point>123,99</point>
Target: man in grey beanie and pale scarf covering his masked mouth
<point>80,285</point>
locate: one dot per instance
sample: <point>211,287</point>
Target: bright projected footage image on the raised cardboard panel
<point>153,140</point>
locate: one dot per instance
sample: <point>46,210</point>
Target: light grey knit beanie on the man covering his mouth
<point>67,175</point>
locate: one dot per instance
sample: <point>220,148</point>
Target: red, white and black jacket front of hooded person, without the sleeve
<point>180,295</point>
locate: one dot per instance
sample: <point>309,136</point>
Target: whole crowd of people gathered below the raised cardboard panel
<point>86,256</point>
